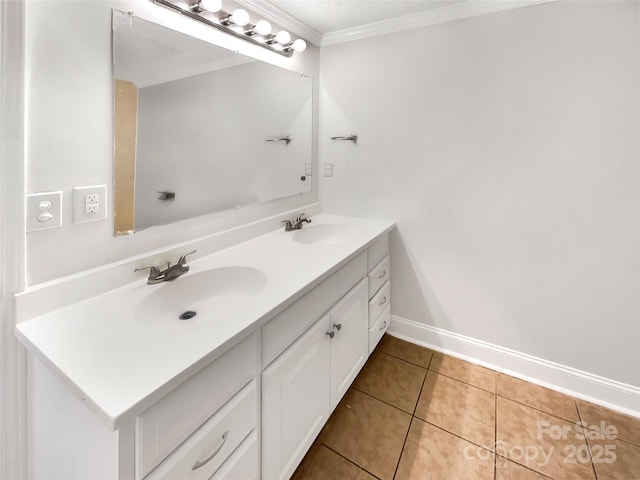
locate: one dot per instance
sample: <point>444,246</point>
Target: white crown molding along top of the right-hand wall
<point>465,9</point>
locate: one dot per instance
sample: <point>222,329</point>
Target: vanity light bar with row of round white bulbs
<point>236,23</point>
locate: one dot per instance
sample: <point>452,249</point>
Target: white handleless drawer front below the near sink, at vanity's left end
<point>165,425</point>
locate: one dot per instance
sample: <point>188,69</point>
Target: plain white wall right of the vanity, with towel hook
<point>506,147</point>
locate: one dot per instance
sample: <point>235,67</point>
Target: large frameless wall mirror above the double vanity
<point>199,128</point>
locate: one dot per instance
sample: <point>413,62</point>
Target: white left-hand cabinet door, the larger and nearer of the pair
<point>295,401</point>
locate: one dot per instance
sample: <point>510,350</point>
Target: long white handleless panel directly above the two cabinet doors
<point>280,332</point>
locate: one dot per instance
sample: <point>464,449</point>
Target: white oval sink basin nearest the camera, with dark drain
<point>212,295</point>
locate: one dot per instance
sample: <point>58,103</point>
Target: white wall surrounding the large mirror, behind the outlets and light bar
<point>69,130</point>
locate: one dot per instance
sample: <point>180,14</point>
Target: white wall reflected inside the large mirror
<point>203,137</point>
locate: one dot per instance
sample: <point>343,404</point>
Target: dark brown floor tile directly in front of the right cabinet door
<point>391,380</point>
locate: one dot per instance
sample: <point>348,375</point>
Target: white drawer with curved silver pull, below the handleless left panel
<point>204,451</point>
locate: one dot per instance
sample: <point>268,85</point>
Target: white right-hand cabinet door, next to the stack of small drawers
<point>350,345</point>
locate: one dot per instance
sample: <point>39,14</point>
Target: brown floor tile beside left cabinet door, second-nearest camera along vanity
<point>368,432</point>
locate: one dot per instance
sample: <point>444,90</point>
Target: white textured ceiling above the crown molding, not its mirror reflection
<point>327,16</point>
